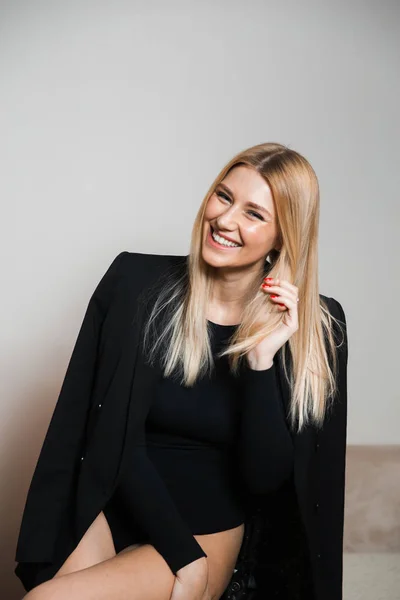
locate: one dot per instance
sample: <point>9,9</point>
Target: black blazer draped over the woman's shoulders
<point>105,397</point>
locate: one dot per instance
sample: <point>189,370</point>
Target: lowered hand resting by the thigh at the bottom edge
<point>191,582</point>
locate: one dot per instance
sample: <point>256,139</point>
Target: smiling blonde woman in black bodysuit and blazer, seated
<point>190,412</point>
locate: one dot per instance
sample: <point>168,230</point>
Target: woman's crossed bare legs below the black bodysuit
<point>93,570</point>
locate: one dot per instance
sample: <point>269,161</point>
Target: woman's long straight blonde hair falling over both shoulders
<point>185,334</point>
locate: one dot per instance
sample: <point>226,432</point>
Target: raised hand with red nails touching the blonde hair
<point>286,294</point>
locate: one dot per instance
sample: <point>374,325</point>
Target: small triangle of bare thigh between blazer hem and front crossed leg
<point>94,547</point>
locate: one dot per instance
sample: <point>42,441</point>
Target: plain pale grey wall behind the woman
<point>116,116</point>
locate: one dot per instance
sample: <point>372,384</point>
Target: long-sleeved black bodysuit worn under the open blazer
<point>202,446</point>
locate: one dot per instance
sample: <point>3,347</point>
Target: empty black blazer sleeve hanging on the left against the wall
<point>55,468</point>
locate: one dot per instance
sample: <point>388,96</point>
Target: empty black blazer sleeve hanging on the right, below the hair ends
<point>332,439</point>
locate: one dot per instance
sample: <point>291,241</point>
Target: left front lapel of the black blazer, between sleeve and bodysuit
<point>124,408</point>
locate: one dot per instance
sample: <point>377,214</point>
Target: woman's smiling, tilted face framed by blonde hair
<point>231,212</point>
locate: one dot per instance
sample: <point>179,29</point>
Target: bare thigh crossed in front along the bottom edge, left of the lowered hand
<point>138,574</point>
